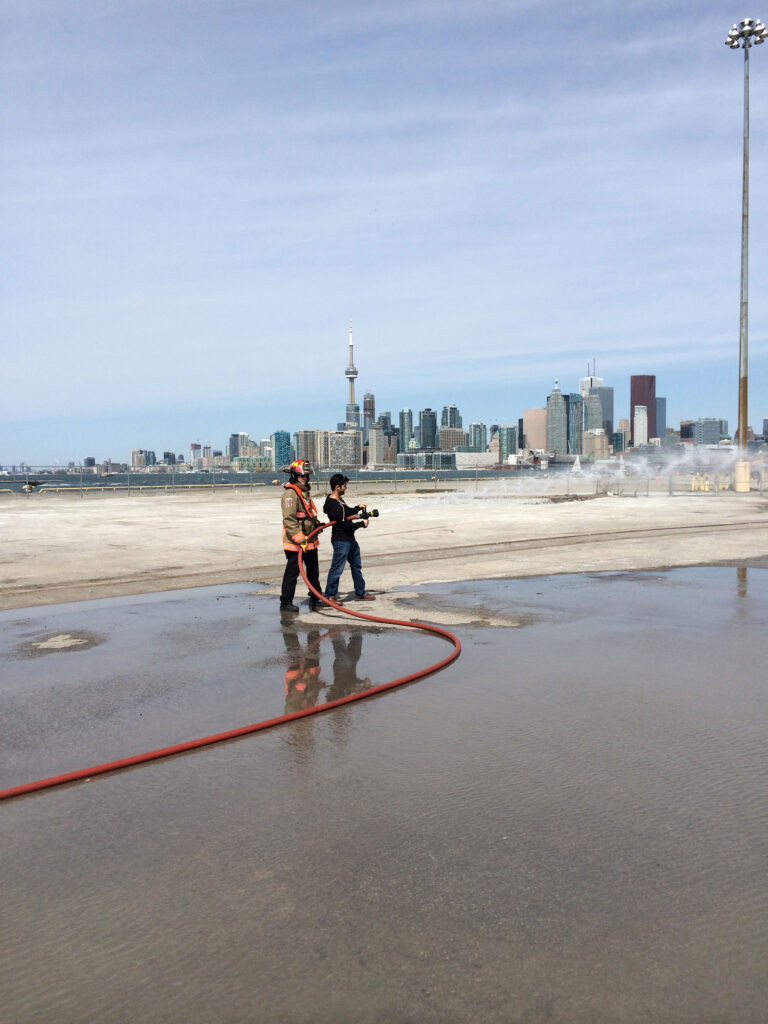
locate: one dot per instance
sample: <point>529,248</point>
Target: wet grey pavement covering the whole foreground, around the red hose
<point>570,824</point>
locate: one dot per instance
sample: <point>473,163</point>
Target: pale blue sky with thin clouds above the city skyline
<point>197,197</point>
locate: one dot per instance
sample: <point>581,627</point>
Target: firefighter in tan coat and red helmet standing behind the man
<point>300,520</point>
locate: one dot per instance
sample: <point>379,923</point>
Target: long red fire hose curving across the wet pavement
<point>193,745</point>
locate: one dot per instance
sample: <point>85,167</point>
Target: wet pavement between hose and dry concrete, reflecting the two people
<point>97,681</point>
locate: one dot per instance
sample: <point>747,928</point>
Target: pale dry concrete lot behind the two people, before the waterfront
<point>65,548</point>
